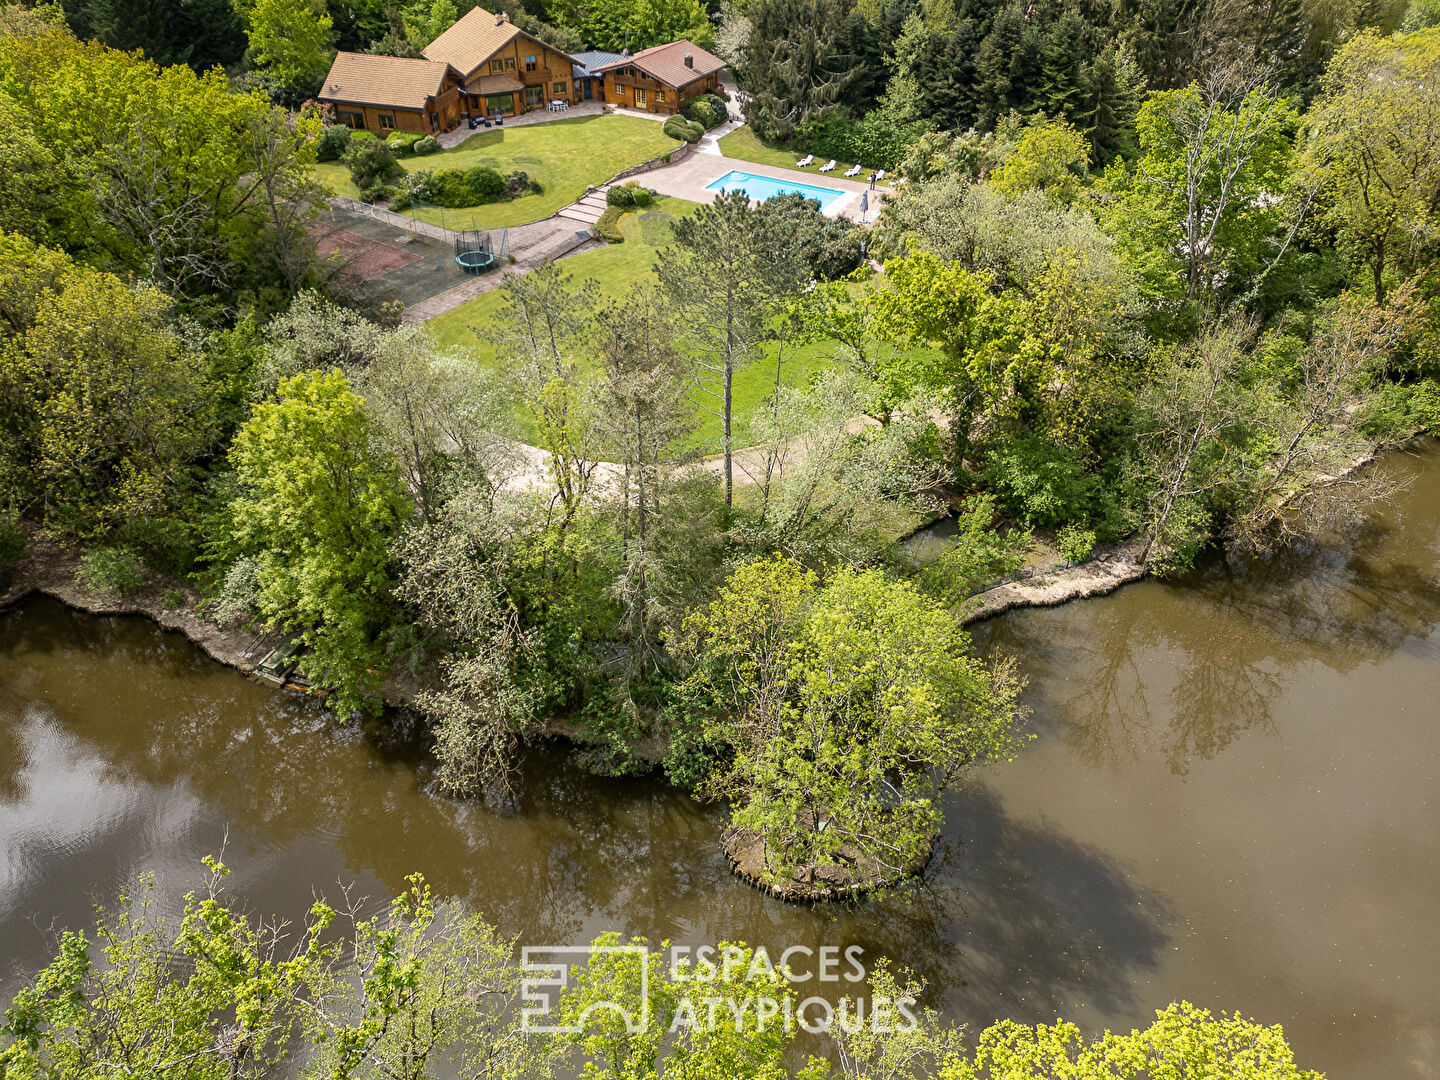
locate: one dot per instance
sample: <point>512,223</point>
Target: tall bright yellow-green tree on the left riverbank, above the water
<point>319,508</point>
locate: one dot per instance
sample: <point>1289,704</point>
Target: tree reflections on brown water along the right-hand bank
<point>1189,667</point>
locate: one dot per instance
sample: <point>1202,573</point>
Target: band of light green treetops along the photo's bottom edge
<point>424,989</point>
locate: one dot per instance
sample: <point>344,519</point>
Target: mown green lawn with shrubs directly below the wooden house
<point>564,155</point>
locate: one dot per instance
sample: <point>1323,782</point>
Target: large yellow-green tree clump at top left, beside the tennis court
<point>178,179</point>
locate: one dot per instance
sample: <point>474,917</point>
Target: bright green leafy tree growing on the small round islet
<point>849,708</point>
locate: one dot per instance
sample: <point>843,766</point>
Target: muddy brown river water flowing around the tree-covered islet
<point>1230,800</point>
